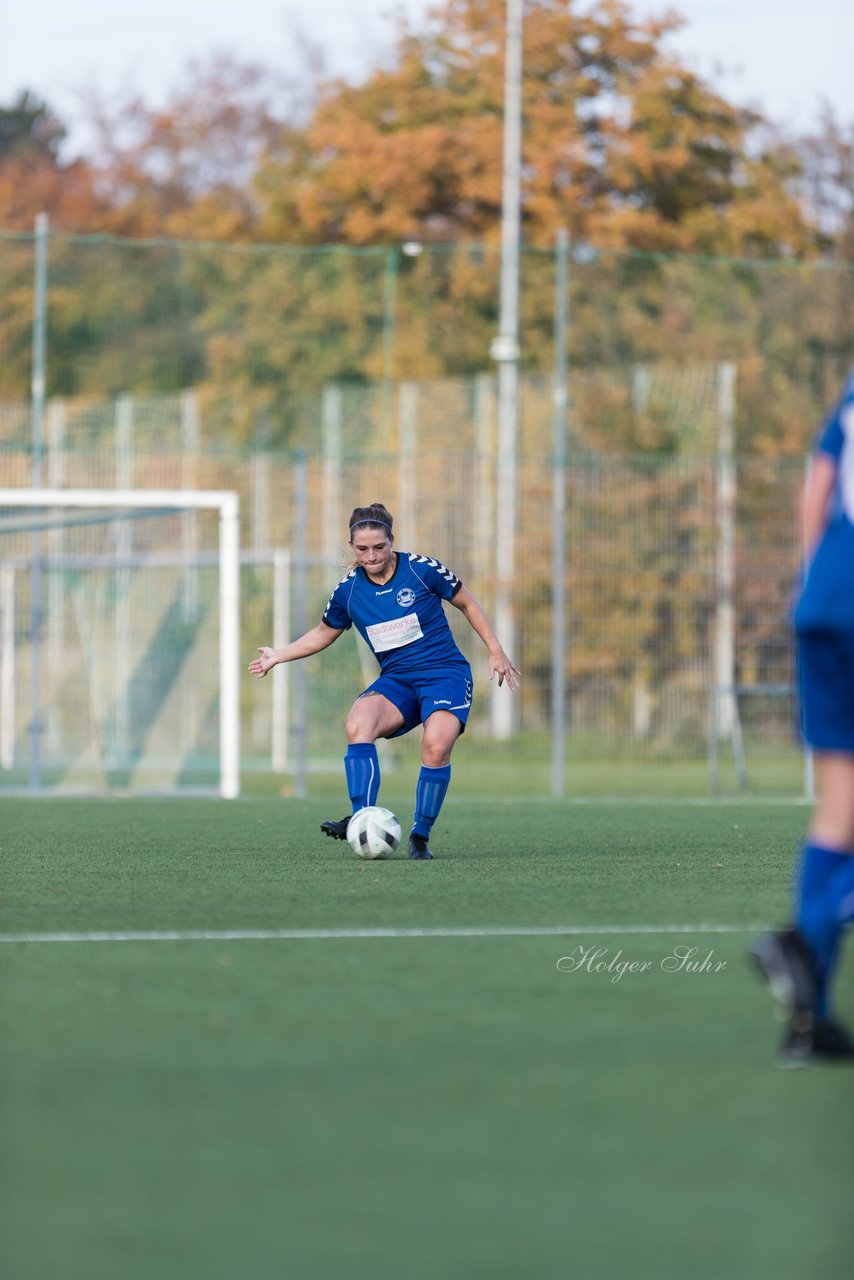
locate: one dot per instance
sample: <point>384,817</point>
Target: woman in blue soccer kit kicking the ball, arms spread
<point>395,600</point>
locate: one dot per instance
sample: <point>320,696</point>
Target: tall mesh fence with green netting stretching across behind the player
<point>660,505</point>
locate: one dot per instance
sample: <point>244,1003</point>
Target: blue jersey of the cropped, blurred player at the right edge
<point>828,598</point>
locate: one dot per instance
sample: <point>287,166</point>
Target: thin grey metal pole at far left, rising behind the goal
<point>38,410</point>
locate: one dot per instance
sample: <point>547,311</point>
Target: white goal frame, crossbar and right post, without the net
<point>171,502</point>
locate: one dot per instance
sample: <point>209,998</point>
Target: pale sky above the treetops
<point>784,57</point>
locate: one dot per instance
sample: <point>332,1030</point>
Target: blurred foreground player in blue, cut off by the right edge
<point>800,962</point>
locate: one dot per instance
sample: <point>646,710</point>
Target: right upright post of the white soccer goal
<point>230,656</point>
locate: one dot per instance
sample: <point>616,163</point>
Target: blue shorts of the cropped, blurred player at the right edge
<point>826,688</point>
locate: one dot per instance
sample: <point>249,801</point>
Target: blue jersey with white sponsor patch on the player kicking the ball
<point>403,621</point>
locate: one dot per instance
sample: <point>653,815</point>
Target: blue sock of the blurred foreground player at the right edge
<point>824,895</point>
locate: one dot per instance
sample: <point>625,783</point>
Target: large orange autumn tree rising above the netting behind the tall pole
<point>622,144</point>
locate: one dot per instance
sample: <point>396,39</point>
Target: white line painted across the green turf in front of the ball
<point>319,935</point>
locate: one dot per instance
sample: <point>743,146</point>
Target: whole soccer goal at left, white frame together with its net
<point>120,659</point>
